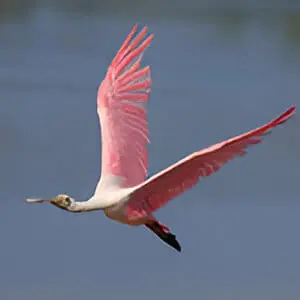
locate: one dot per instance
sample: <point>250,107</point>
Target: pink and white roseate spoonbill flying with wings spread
<point>124,193</point>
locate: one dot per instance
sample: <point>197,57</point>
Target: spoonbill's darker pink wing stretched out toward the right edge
<point>169,183</point>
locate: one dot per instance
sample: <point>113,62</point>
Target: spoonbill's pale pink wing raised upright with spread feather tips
<point>121,103</point>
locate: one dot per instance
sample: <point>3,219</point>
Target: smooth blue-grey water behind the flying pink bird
<point>217,70</point>
